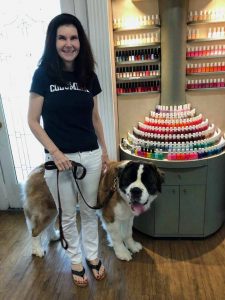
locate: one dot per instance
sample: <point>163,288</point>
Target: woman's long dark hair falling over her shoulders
<point>84,62</point>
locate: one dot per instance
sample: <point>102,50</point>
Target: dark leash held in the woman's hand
<point>50,165</point>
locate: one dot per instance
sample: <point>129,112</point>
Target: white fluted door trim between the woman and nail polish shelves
<point>100,35</point>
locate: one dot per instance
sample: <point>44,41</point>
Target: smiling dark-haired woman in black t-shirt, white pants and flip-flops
<point>63,93</point>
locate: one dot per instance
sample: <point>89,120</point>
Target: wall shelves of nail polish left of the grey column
<point>137,54</point>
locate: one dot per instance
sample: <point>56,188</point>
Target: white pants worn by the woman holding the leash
<point>88,236</point>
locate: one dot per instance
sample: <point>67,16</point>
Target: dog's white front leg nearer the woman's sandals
<point>114,231</point>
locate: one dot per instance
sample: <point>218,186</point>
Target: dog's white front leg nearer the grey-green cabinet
<point>132,245</point>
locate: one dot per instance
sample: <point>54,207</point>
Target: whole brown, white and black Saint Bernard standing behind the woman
<point>126,189</point>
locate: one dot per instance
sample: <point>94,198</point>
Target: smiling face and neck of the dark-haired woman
<point>67,45</point>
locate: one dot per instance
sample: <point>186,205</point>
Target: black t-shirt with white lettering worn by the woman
<point>67,111</point>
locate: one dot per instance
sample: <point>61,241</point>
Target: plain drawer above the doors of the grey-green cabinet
<point>185,176</point>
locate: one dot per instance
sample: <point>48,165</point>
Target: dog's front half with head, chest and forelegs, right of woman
<point>138,185</point>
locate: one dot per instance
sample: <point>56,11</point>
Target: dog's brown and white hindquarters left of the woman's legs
<point>40,210</point>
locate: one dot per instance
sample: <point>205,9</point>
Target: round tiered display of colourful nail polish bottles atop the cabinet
<point>175,133</point>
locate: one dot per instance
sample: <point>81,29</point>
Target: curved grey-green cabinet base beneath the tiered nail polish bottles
<point>192,202</point>
